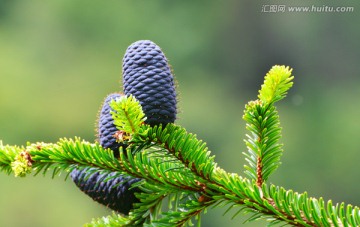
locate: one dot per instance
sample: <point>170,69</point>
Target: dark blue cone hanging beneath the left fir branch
<point>114,193</point>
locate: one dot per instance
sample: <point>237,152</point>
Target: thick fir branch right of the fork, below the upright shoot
<point>277,204</point>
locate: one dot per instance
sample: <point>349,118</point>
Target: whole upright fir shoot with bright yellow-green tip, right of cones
<point>262,119</point>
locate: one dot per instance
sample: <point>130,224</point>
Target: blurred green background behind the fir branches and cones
<point>59,59</point>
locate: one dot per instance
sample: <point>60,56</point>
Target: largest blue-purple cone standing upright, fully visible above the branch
<point>147,76</point>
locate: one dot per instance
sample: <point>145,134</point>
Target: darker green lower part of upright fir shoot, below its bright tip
<point>264,152</point>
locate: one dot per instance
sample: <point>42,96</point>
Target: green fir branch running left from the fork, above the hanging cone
<point>67,154</point>
